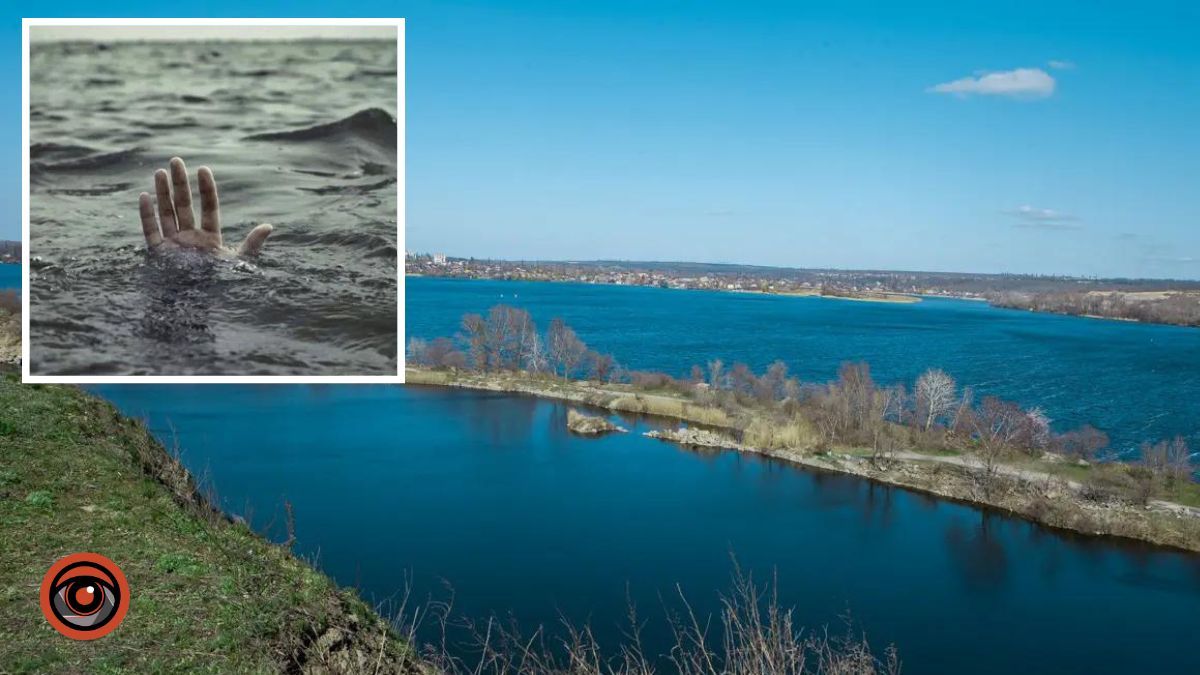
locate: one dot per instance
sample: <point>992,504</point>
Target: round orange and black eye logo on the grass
<point>85,596</point>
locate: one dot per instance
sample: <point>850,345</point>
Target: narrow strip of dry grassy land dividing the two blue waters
<point>1085,499</point>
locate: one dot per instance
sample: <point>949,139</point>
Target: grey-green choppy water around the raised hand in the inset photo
<point>298,134</point>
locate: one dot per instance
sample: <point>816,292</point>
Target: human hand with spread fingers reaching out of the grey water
<point>176,224</point>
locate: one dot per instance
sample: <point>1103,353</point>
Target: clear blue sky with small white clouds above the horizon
<point>1041,138</point>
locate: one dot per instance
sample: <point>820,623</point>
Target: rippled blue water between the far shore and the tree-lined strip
<point>1136,383</point>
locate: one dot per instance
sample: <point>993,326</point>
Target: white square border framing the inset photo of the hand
<point>399,379</point>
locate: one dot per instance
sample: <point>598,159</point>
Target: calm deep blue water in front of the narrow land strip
<point>490,494</point>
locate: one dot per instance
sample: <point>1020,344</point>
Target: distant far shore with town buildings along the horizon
<point>1135,300</point>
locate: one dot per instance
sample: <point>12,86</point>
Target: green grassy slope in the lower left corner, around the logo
<point>207,595</point>
